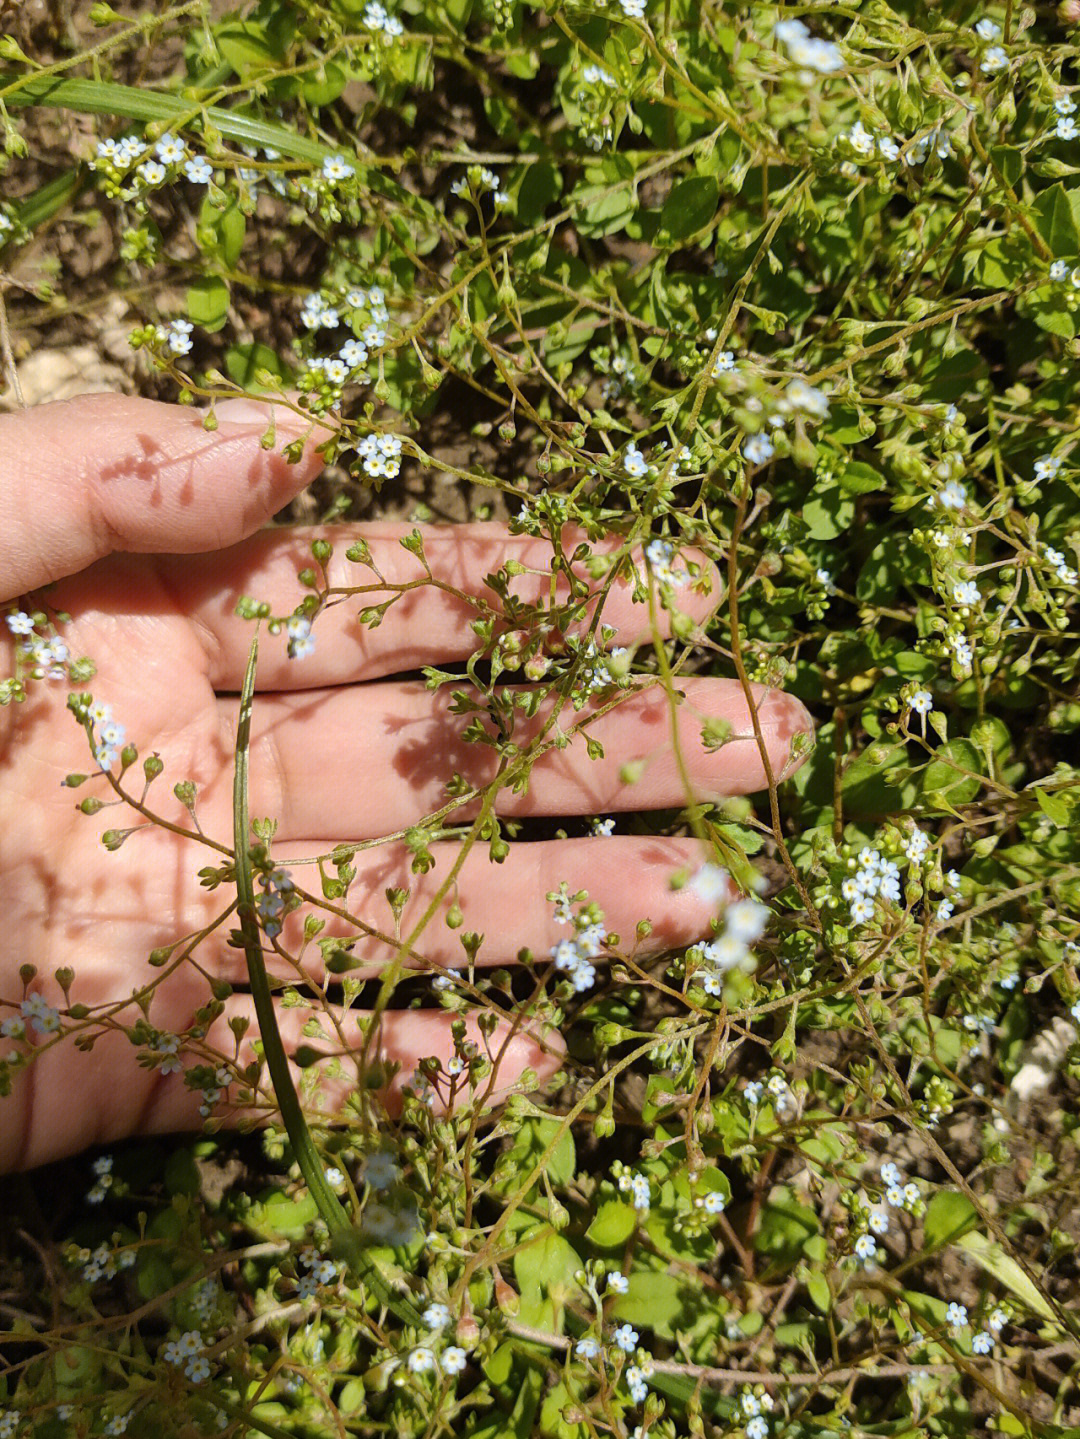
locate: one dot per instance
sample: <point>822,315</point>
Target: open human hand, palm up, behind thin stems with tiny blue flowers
<point>147,525</point>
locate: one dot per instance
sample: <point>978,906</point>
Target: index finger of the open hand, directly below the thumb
<point>425,625</point>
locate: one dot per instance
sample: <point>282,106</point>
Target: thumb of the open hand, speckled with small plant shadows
<point>110,473</point>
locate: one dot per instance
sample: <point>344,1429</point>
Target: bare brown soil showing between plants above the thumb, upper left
<point>77,340</point>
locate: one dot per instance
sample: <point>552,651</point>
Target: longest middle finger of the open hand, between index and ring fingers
<point>369,761</point>
